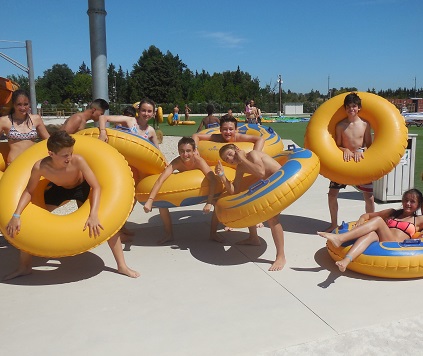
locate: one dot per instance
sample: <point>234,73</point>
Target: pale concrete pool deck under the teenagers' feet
<point>199,297</point>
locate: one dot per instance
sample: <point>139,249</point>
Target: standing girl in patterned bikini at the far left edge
<point>21,128</point>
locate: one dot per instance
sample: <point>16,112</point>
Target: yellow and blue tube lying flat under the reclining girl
<point>382,259</point>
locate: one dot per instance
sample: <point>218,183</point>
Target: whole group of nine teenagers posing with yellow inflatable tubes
<point>72,179</point>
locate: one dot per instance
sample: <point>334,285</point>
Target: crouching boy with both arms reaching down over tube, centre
<point>187,160</point>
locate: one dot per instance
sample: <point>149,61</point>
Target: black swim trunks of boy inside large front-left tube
<point>56,195</point>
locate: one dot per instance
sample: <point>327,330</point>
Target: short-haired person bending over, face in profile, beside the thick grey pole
<point>78,121</point>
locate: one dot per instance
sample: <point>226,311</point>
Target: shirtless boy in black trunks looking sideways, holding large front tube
<point>70,178</point>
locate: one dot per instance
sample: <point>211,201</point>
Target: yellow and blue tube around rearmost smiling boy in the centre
<point>273,145</point>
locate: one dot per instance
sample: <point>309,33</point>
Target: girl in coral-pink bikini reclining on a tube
<point>385,225</point>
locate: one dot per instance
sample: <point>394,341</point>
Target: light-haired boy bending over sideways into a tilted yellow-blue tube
<point>260,165</point>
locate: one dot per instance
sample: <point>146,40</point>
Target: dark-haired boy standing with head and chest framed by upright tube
<point>353,137</point>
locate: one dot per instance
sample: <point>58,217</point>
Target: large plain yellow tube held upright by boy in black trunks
<point>48,235</point>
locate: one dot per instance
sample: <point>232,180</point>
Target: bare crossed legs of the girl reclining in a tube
<point>365,235</point>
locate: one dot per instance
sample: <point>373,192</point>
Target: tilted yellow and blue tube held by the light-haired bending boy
<point>269,197</point>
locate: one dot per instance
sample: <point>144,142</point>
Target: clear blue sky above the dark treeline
<point>357,43</point>
